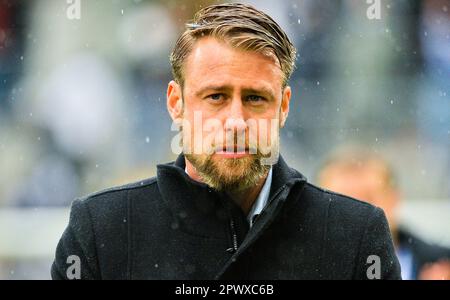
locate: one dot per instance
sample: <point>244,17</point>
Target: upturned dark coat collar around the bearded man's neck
<point>203,211</point>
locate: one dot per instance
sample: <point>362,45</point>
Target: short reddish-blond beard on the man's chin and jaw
<point>229,174</point>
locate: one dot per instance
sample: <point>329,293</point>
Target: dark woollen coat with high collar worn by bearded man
<point>172,227</point>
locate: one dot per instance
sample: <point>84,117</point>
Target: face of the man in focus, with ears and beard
<point>234,103</point>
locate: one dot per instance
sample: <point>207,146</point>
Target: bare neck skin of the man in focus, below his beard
<point>245,198</point>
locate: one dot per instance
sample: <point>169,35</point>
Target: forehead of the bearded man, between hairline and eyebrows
<point>212,61</point>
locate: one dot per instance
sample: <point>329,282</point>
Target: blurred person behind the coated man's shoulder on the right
<point>358,172</point>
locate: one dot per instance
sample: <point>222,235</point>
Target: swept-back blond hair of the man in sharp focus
<point>240,25</point>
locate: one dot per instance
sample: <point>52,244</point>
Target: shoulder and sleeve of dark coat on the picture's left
<point>98,232</point>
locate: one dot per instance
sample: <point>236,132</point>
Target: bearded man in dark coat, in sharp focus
<point>229,207</point>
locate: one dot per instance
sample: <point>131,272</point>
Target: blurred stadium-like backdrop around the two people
<point>82,104</point>
